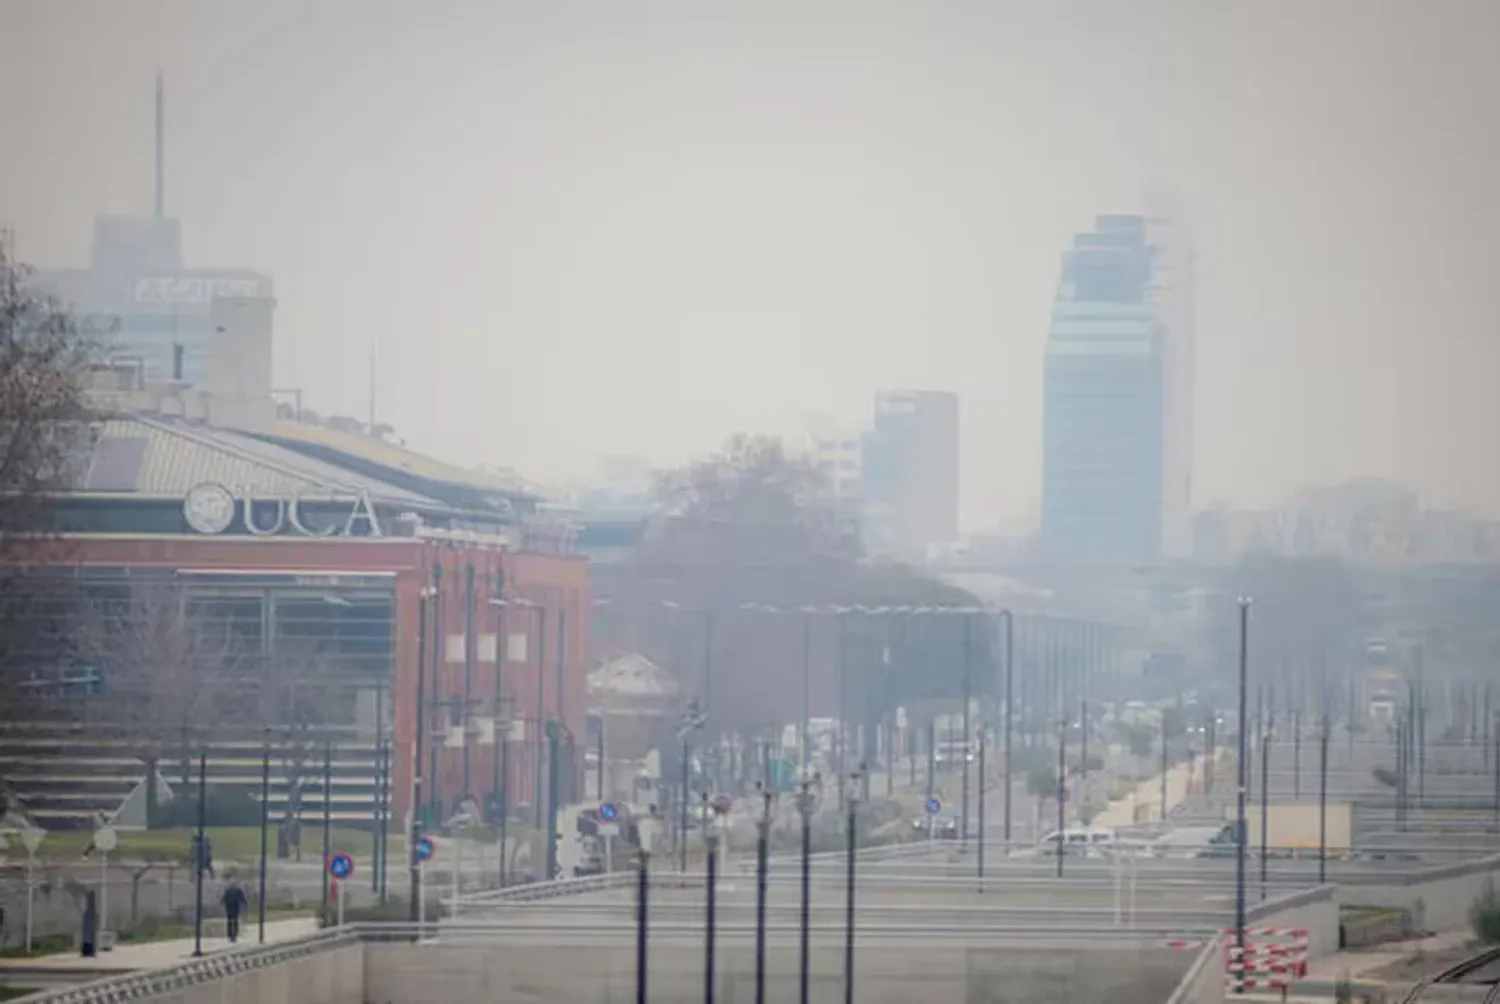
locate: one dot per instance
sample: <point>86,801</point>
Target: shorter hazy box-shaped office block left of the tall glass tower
<point>910,475</point>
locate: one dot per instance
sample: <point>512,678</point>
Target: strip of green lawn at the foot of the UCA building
<point>230,844</point>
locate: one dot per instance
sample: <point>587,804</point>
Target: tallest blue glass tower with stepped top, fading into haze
<point>1117,412</point>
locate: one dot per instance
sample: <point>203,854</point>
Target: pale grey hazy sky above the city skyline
<point>589,227</point>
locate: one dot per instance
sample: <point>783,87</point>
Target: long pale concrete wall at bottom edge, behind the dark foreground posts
<point>416,975</point>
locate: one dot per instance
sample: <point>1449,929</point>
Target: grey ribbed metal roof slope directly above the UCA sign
<point>167,457</point>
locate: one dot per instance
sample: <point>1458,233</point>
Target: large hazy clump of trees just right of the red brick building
<point>754,525</point>
